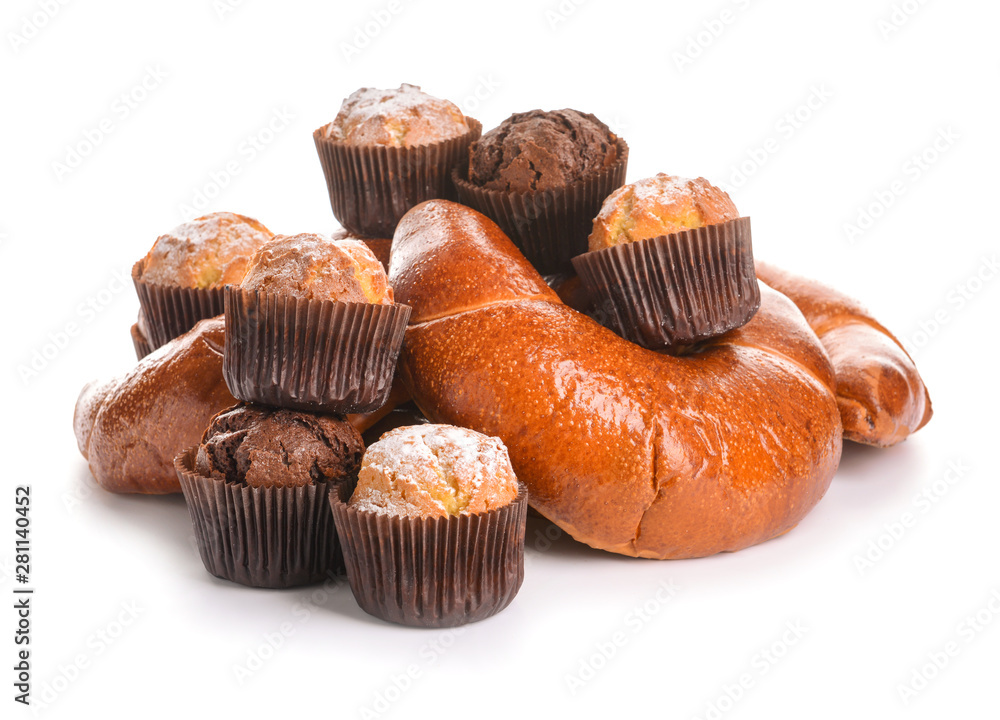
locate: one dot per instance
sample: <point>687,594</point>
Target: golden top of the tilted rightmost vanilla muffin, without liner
<point>660,205</point>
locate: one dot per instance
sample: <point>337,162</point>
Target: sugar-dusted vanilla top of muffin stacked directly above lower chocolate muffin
<point>315,267</point>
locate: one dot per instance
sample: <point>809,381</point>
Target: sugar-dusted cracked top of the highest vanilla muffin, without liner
<point>404,117</point>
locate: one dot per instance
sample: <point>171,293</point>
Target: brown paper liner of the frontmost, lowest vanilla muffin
<point>432,572</point>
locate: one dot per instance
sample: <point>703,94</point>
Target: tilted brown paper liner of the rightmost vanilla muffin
<point>675,289</point>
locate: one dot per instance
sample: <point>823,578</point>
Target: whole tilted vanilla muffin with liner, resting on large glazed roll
<point>670,264</point>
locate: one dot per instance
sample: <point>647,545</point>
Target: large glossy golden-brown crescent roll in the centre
<point>626,449</point>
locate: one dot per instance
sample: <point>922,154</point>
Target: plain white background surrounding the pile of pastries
<point>890,91</point>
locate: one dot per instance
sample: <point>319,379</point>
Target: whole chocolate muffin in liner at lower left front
<point>257,489</point>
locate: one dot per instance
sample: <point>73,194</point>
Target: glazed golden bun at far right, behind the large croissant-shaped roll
<point>881,395</point>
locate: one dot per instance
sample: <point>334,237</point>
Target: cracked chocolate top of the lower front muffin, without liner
<point>262,446</point>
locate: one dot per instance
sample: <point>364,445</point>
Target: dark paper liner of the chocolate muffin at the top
<point>549,226</point>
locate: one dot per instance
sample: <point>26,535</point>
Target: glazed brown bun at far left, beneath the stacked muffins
<point>130,429</point>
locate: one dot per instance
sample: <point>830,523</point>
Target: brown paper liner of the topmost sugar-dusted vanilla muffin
<point>372,187</point>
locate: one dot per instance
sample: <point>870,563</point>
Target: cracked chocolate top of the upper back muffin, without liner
<point>539,150</point>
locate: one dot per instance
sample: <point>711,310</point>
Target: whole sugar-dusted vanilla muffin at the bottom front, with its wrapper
<point>433,530</point>
